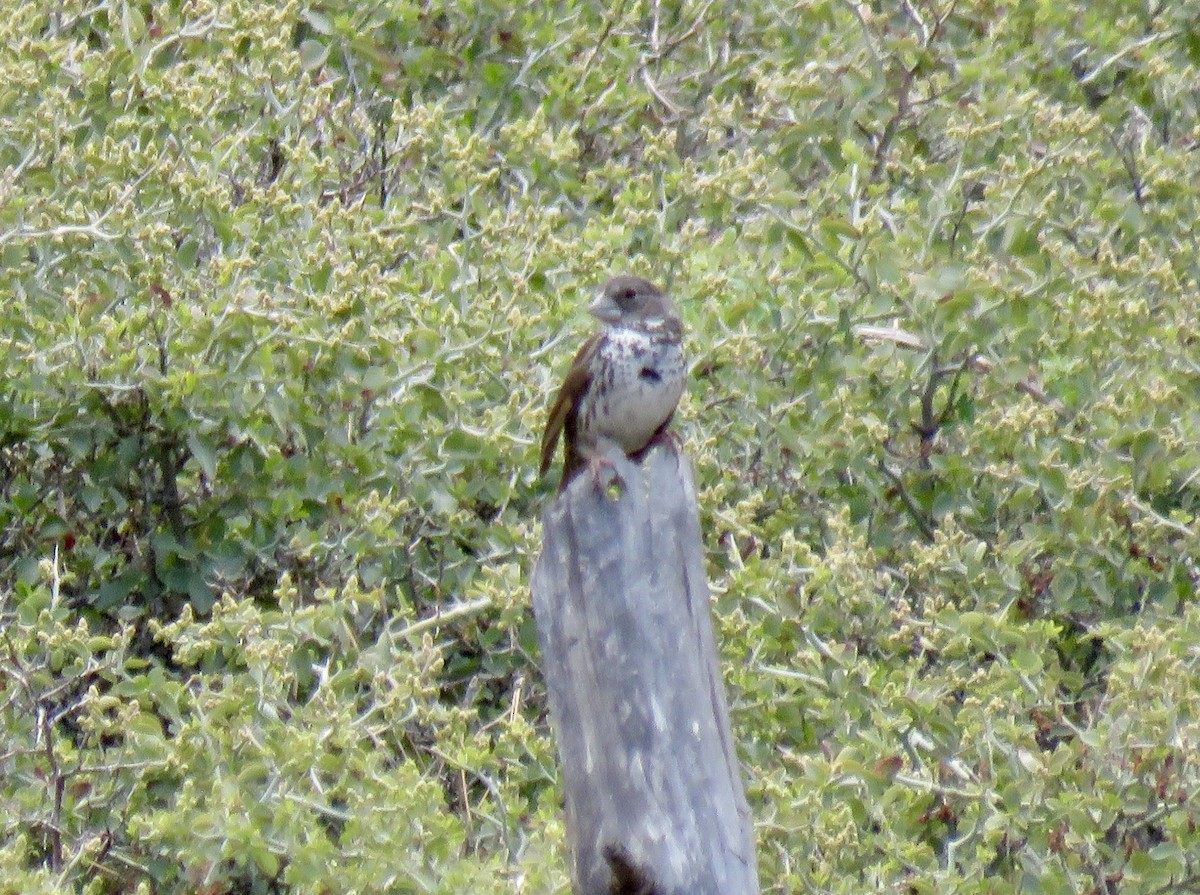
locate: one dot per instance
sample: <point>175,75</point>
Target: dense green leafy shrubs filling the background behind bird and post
<point>285,291</point>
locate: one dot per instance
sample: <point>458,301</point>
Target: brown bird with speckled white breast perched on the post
<point>625,382</point>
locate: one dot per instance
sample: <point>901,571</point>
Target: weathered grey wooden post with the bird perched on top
<point>653,792</point>
